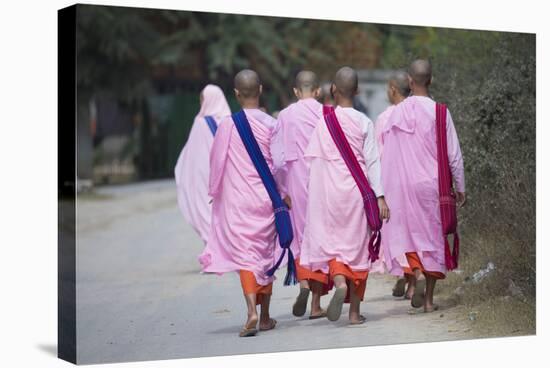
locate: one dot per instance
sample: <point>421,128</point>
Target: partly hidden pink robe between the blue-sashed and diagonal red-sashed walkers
<point>295,124</point>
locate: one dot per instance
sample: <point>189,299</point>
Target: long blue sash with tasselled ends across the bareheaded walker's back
<point>282,217</point>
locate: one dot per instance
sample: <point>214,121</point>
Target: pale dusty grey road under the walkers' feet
<point>140,295</point>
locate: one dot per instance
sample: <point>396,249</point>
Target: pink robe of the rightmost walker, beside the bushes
<point>409,176</point>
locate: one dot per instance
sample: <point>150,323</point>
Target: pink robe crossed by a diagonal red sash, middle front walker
<point>336,225</point>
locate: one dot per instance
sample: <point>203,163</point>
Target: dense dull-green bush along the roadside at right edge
<point>501,154</point>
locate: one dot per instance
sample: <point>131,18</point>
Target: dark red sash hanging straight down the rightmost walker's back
<point>447,196</point>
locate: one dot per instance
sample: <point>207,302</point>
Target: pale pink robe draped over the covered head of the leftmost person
<point>192,168</point>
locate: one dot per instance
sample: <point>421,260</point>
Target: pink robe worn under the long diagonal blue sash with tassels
<point>242,233</point>
